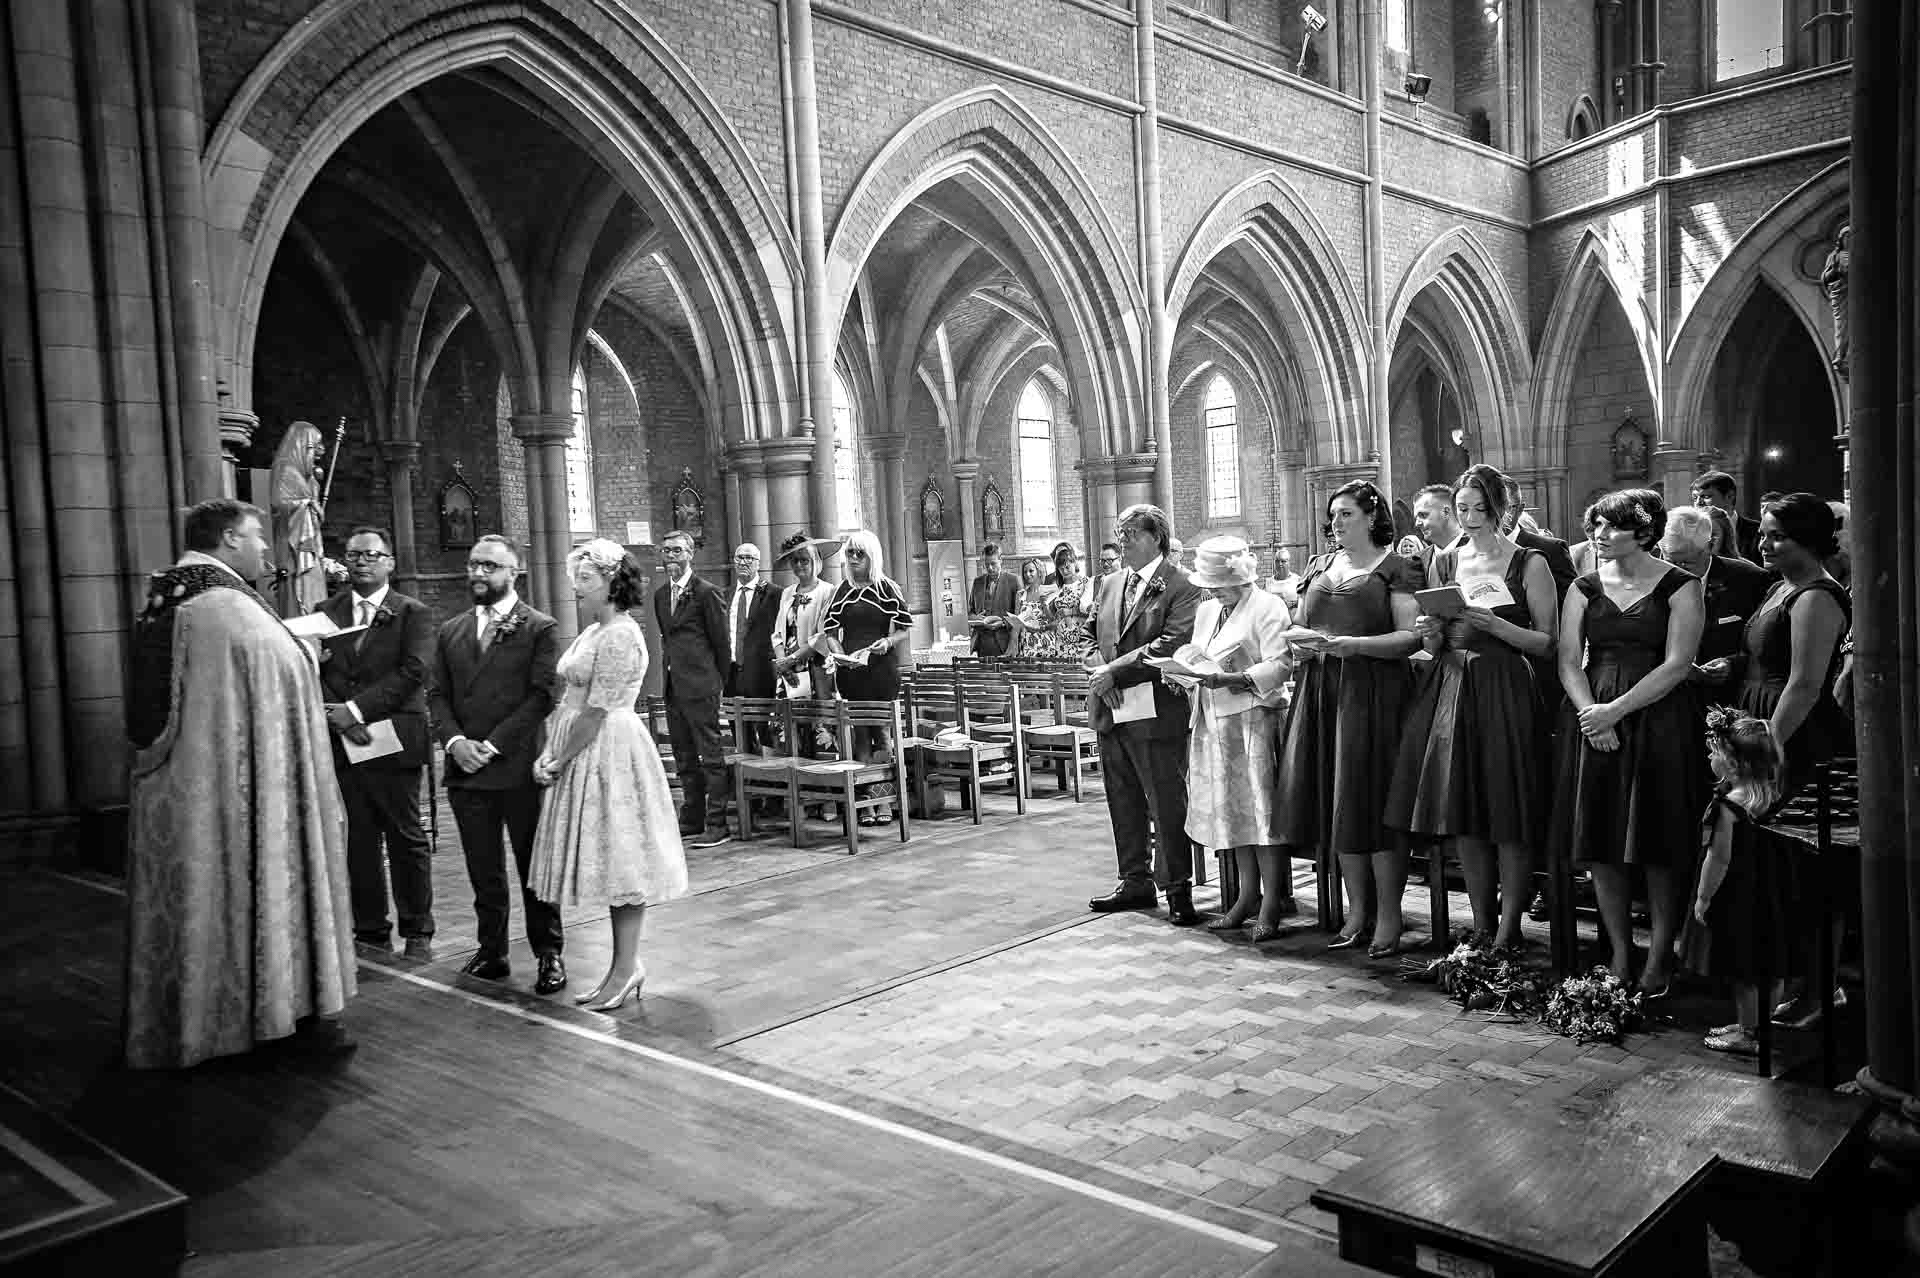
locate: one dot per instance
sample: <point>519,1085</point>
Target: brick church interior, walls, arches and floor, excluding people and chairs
<point>955,275</point>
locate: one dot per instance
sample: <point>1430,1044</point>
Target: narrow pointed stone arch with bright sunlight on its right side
<point>1595,273</point>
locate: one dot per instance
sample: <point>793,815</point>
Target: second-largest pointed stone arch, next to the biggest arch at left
<point>1042,204</point>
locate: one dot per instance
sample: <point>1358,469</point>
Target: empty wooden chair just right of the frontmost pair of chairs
<point>955,751</point>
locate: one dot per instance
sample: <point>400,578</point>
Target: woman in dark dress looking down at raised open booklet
<point>1470,757</point>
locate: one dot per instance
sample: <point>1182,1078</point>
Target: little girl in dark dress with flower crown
<point>1739,924</point>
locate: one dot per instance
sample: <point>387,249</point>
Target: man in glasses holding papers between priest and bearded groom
<point>375,673</point>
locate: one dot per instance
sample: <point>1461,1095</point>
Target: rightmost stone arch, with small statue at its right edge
<point>1767,252</point>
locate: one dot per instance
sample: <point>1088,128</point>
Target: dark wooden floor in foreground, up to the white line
<point>479,1135</point>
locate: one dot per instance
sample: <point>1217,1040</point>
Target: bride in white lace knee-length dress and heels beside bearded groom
<point>610,832</point>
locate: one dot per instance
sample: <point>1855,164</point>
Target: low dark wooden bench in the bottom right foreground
<point>1500,1191</point>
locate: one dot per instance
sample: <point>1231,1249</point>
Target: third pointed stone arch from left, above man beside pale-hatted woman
<point>1318,306</point>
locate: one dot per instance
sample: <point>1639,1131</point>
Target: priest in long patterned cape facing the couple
<point>239,926</point>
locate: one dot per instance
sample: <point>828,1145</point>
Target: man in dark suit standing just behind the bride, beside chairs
<point>698,655</point>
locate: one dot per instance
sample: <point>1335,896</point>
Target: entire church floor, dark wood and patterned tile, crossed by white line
<point>921,1060</point>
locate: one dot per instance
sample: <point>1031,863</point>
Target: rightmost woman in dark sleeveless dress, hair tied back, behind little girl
<point>1792,640</point>
